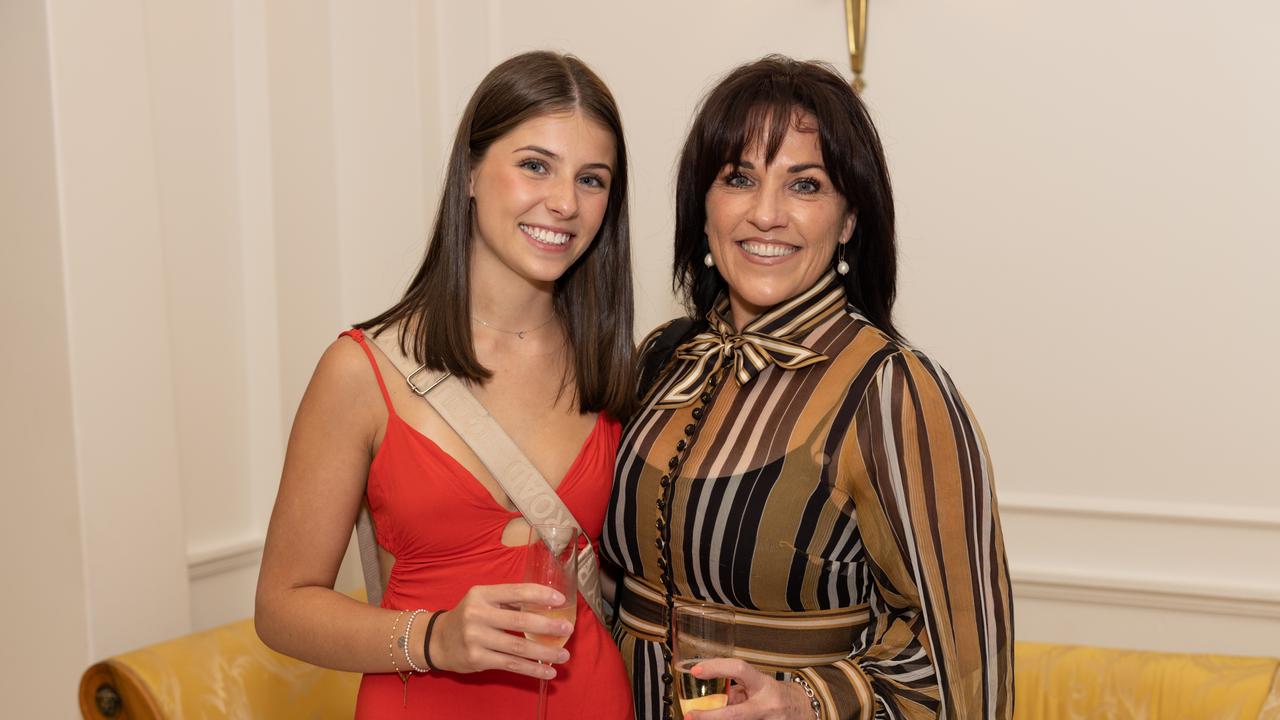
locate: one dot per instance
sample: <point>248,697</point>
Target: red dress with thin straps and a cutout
<point>445,530</point>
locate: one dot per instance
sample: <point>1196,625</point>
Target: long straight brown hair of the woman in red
<point>593,299</point>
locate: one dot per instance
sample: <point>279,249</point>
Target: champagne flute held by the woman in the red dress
<point>551,560</point>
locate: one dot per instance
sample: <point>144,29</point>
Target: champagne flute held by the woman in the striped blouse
<point>703,632</point>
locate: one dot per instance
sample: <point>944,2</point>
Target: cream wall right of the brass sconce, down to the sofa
<point>1089,244</point>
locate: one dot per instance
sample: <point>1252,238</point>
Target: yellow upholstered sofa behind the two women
<point>230,673</point>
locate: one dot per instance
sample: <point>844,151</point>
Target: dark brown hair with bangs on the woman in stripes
<point>758,103</point>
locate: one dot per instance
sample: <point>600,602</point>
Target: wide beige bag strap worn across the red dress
<point>523,484</point>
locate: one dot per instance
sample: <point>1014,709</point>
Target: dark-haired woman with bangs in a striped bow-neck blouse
<point>794,459</point>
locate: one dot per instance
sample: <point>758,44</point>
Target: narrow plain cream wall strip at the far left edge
<point>45,625</point>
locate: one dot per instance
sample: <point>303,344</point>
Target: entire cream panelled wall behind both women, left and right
<point>204,194</point>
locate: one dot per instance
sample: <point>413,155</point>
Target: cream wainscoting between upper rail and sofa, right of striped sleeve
<point>1145,575</point>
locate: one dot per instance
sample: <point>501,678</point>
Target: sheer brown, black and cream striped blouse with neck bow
<point>857,482</point>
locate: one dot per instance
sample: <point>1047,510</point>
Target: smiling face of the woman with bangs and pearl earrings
<point>774,227</point>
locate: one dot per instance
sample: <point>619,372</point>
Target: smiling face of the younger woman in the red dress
<point>541,193</point>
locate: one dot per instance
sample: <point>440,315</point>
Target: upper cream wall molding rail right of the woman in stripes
<point>1144,511</point>
